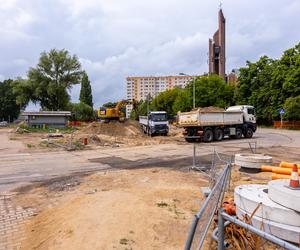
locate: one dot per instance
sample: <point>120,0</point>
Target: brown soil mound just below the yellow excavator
<point>114,128</point>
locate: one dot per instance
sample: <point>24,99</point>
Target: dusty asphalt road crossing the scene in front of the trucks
<point>18,169</point>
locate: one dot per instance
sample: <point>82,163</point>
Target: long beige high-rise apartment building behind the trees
<point>140,87</point>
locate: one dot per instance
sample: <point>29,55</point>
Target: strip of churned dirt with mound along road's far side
<point>112,134</point>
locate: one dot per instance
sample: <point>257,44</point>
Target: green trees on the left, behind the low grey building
<point>49,84</point>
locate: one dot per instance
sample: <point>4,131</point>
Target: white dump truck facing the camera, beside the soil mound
<point>155,123</point>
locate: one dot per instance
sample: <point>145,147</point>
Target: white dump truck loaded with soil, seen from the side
<point>234,122</point>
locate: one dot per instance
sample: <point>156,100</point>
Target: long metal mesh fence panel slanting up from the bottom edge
<point>203,218</point>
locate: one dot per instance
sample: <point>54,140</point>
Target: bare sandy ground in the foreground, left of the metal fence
<point>128,209</point>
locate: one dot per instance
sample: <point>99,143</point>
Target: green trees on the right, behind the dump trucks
<point>269,85</point>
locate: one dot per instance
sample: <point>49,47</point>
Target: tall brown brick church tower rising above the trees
<point>217,49</point>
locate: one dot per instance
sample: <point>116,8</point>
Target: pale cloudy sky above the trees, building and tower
<point>114,39</point>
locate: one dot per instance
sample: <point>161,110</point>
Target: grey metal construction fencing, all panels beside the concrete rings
<point>209,164</point>
